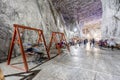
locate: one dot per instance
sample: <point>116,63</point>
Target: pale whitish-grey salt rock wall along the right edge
<point>111,19</point>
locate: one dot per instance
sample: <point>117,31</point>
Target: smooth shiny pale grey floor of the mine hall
<point>78,64</point>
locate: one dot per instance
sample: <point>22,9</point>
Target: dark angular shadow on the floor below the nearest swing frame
<point>25,75</point>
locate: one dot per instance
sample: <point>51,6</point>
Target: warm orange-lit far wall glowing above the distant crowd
<point>92,30</point>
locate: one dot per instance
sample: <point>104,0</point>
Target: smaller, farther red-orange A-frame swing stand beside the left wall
<point>54,38</point>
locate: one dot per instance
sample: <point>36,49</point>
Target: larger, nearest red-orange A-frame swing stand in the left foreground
<point>16,39</point>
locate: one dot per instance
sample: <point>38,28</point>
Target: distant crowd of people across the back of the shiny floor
<point>107,43</point>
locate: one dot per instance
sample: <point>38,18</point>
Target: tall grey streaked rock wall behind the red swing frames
<point>35,13</point>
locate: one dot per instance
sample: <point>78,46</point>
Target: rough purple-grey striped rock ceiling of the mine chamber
<point>79,10</point>
